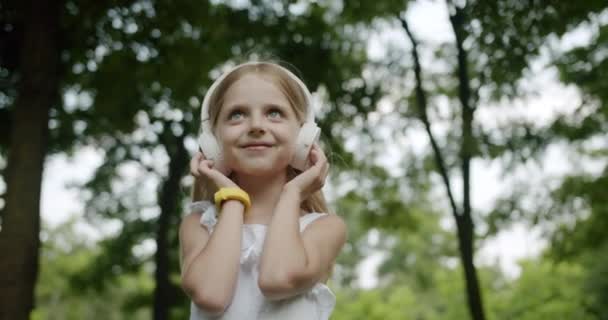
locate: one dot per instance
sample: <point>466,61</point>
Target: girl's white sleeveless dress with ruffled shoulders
<point>248,301</point>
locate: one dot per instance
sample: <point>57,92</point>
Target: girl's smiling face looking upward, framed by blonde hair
<point>257,127</point>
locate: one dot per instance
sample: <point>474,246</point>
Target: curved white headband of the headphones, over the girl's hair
<point>205,121</point>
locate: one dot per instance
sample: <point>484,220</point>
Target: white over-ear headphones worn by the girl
<point>308,135</point>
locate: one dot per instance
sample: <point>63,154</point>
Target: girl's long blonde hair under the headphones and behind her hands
<point>203,188</point>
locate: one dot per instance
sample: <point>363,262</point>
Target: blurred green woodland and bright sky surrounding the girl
<point>467,140</point>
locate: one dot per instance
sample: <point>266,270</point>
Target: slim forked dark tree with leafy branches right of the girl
<point>483,71</point>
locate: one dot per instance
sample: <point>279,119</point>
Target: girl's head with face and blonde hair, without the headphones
<point>255,113</point>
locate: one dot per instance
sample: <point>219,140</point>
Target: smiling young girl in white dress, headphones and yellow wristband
<point>261,244</point>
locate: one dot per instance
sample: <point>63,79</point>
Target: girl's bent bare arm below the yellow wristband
<point>210,264</point>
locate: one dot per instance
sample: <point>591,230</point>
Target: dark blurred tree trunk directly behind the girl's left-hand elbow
<point>169,196</point>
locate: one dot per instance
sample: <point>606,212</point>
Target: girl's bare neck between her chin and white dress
<point>264,192</point>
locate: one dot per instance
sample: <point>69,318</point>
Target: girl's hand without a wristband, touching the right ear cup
<point>313,178</point>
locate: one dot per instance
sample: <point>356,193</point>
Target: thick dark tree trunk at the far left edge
<point>38,90</point>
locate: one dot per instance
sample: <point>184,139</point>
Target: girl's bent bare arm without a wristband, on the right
<point>293,262</point>
